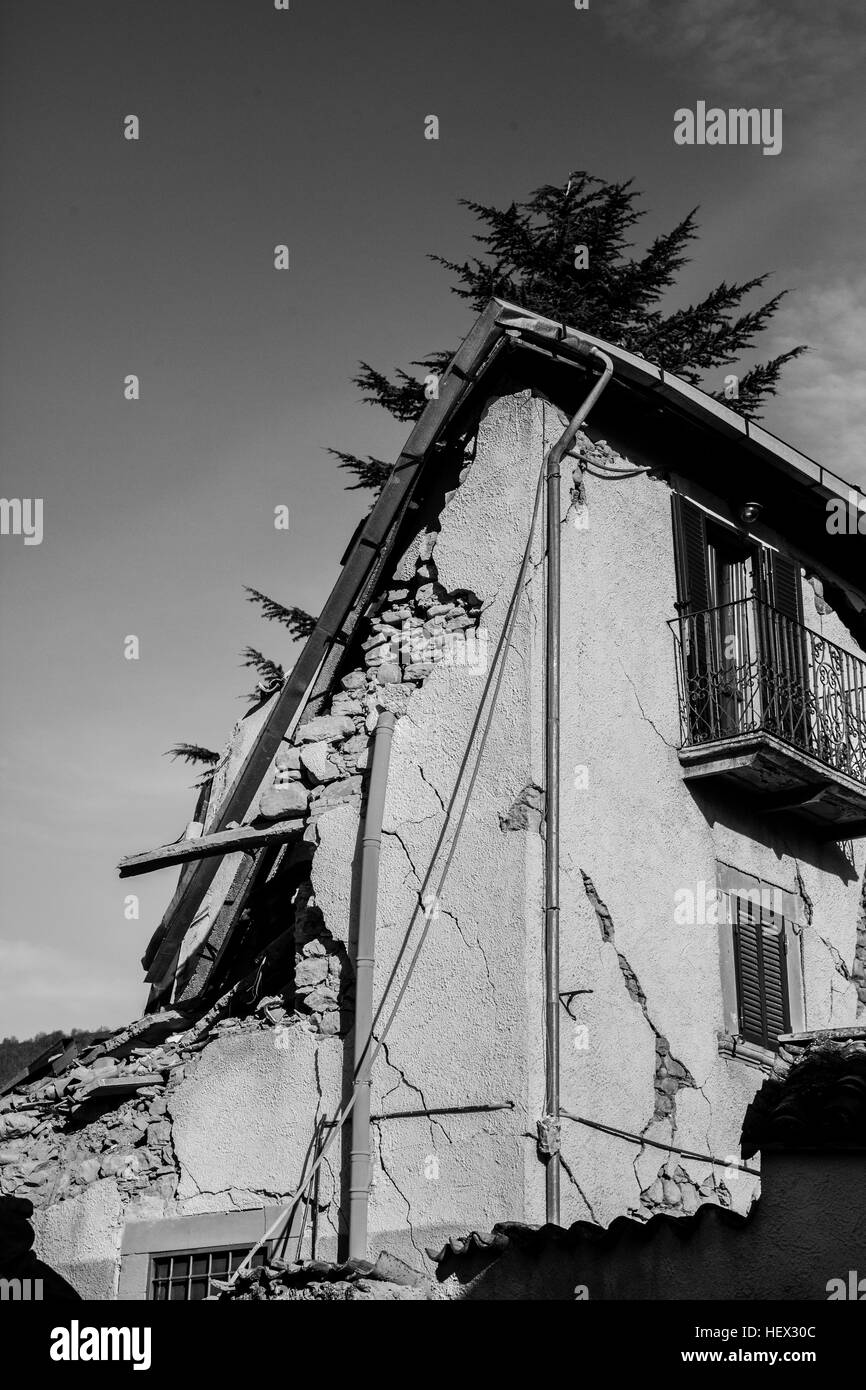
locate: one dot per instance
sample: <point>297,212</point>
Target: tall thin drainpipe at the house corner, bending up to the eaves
<point>550,1127</point>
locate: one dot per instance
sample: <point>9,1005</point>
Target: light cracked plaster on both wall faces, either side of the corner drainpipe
<point>646,1008</point>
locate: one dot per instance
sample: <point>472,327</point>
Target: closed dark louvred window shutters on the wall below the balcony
<point>761,961</point>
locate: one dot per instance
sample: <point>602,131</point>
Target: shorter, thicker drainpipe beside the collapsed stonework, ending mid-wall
<point>365,964</point>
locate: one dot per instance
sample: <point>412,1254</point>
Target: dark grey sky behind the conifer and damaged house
<point>263,127</point>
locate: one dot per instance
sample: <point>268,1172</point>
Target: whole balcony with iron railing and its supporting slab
<point>775,710</point>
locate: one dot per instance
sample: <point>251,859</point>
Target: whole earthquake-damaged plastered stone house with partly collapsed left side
<point>508,904</point>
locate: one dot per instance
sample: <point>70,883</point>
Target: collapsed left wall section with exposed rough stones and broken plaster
<point>172,1117</point>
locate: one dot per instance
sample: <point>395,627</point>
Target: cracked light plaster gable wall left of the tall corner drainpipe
<point>462,1033</point>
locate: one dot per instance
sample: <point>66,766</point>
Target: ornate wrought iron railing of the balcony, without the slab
<point>746,669</point>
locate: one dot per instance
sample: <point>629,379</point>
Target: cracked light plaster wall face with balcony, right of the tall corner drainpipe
<point>637,832</point>
